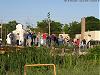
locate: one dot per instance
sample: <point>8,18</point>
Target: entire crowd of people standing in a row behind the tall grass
<point>43,39</point>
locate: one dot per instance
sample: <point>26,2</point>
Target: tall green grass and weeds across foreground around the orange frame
<point>13,61</point>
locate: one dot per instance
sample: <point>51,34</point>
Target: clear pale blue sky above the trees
<point>31,11</point>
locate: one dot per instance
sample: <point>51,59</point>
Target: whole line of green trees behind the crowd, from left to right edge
<point>92,23</point>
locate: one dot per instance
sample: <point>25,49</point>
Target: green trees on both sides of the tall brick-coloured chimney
<point>73,28</point>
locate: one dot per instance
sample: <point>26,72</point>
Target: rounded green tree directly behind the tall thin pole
<point>55,27</point>
